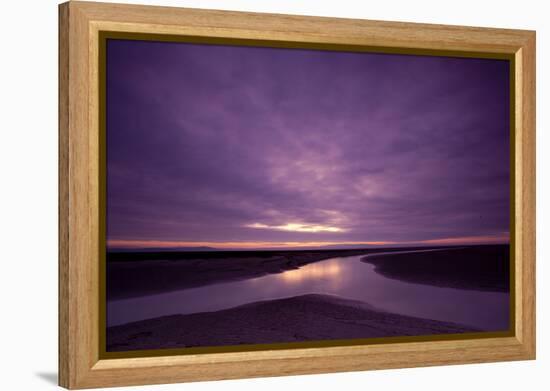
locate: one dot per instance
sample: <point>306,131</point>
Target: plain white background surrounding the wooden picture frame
<point>28,207</point>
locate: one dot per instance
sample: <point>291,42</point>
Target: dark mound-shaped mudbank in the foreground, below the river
<point>302,318</point>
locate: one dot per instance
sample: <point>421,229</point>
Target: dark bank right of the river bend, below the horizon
<point>485,268</point>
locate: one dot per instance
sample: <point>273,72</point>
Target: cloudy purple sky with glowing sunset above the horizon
<point>241,146</point>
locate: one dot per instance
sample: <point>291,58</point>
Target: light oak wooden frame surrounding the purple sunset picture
<point>80,365</point>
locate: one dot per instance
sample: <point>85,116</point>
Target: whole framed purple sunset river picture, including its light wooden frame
<point>248,195</point>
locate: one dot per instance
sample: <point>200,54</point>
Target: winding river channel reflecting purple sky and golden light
<point>346,277</point>
